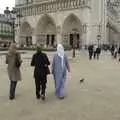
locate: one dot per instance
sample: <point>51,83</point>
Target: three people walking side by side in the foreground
<point>41,62</point>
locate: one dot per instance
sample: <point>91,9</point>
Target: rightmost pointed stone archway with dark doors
<point>70,24</point>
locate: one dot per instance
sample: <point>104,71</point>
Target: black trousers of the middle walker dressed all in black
<point>40,83</point>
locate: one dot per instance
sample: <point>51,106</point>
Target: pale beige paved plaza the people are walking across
<point>98,98</point>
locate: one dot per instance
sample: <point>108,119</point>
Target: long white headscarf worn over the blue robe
<point>60,52</point>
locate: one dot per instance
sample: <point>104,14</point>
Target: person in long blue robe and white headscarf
<point>60,66</point>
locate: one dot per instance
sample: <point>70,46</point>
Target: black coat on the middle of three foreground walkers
<point>41,62</point>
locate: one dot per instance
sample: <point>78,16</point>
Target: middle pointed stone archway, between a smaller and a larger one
<point>46,31</point>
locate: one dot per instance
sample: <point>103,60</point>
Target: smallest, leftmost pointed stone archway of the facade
<point>25,35</point>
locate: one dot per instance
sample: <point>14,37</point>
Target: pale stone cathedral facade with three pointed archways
<point>79,22</point>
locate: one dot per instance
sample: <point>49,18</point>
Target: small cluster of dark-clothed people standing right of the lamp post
<point>94,51</point>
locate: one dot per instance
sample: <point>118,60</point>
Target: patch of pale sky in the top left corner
<point>5,3</point>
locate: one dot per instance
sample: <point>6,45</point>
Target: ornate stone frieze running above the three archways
<point>51,6</point>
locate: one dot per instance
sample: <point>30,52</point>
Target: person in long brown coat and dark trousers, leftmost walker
<point>13,59</point>
